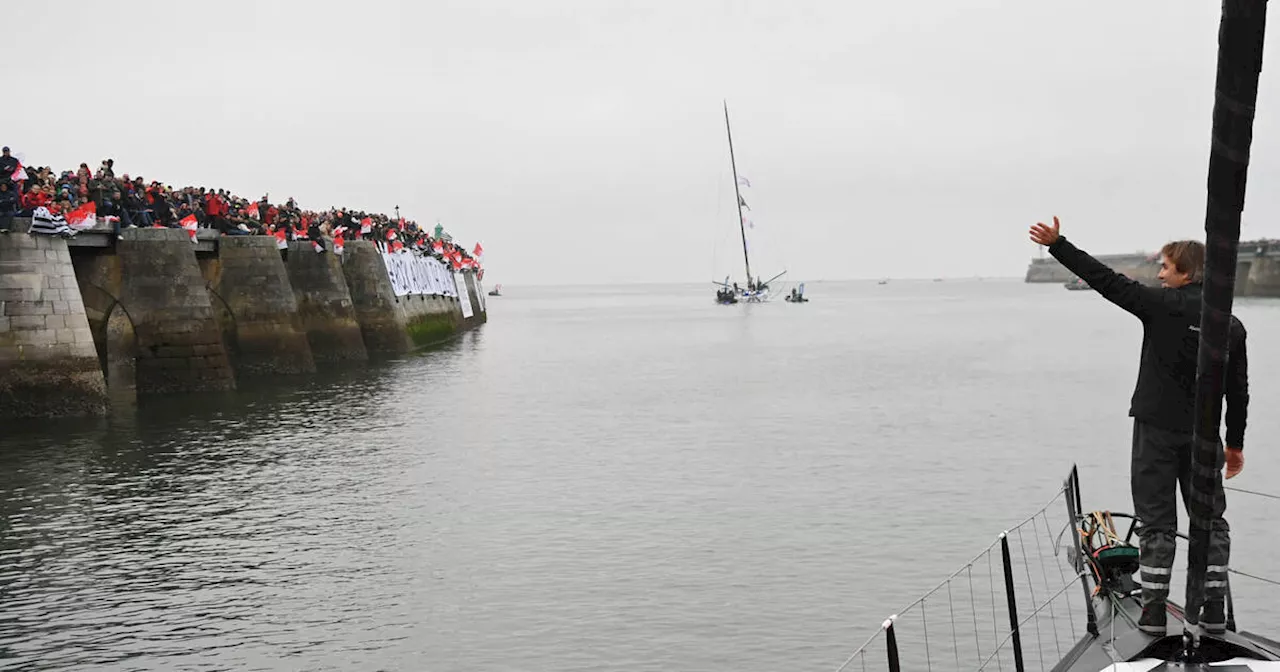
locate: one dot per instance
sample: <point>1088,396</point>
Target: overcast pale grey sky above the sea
<point>584,141</point>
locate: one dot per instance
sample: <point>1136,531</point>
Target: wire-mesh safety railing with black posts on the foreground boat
<point>1016,606</point>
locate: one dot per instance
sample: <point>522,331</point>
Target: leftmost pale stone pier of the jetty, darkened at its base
<point>48,364</point>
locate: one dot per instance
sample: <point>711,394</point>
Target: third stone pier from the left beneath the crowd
<point>255,304</point>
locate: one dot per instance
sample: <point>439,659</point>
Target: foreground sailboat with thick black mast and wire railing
<point>1105,564</point>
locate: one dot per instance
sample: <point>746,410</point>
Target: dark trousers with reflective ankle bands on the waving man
<point>1162,464</point>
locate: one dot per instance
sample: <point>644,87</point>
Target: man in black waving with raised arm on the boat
<point>1164,412</point>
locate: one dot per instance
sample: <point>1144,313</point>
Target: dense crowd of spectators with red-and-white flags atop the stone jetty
<point>129,202</point>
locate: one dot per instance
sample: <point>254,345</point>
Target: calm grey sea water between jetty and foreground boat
<point>600,479</point>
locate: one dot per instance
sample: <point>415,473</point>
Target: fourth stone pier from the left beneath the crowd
<point>324,305</point>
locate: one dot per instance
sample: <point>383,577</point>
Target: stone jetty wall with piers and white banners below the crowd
<point>150,313</point>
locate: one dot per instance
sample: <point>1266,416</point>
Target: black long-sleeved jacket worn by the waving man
<point>1165,395</point>
